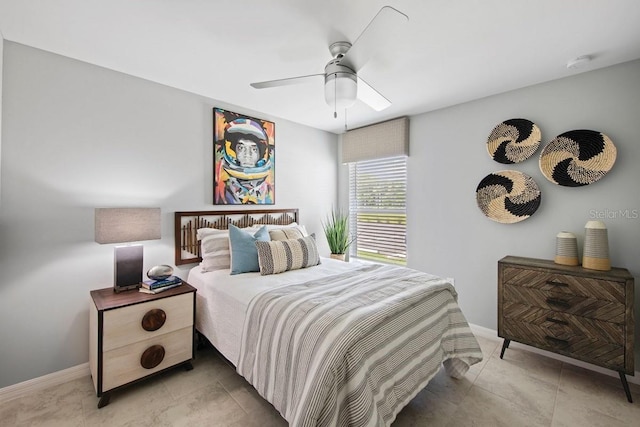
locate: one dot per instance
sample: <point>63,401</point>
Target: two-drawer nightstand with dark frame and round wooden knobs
<point>133,335</point>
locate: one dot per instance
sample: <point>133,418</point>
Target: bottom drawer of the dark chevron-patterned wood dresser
<point>590,349</point>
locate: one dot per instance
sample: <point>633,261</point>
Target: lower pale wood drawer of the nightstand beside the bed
<point>124,364</point>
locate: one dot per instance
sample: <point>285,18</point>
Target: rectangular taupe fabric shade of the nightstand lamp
<point>121,225</point>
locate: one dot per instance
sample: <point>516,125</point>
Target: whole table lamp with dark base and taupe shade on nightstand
<point>122,225</point>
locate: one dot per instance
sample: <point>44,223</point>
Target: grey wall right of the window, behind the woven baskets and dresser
<point>447,233</point>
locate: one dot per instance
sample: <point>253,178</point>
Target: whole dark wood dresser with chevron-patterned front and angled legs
<point>580,313</point>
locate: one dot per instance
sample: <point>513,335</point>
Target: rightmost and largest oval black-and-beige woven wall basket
<point>577,158</point>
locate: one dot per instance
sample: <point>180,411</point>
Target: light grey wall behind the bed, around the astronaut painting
<point>75,137</point>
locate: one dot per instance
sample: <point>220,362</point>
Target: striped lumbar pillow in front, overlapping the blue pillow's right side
<point>283,255</point>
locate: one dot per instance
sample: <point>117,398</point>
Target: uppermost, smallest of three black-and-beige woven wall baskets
<point>513,141</point>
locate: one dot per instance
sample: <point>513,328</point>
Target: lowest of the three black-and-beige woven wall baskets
<point>508,196</point>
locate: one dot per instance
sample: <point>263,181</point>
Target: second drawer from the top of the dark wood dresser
<point>591,307</point>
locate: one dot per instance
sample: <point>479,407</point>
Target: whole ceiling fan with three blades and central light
<point>342,85</point>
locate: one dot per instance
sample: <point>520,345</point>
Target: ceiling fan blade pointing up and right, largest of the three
<point>379,34</point>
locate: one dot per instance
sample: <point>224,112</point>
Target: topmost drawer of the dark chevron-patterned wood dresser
<point>605,290</point>
